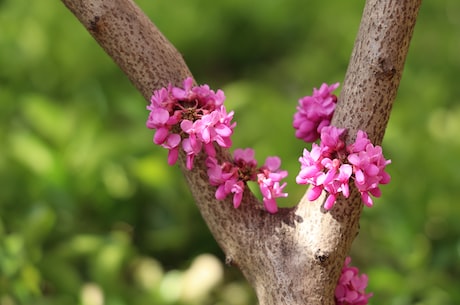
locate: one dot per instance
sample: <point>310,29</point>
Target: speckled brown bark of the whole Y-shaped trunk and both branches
<point>293,257</point>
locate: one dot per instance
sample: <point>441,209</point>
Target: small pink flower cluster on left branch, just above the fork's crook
<point>231,177</point>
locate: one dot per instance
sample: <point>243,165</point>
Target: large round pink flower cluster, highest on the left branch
<point>192,116</point>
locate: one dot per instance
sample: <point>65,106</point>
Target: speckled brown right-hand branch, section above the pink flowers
<point>376,66</point>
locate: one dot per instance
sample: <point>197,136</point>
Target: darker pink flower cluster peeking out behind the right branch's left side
<point>315,112</point>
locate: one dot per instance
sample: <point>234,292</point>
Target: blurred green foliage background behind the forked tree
<point>91,214</point>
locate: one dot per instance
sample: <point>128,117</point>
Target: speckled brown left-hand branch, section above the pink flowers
<point>120,27</point>
